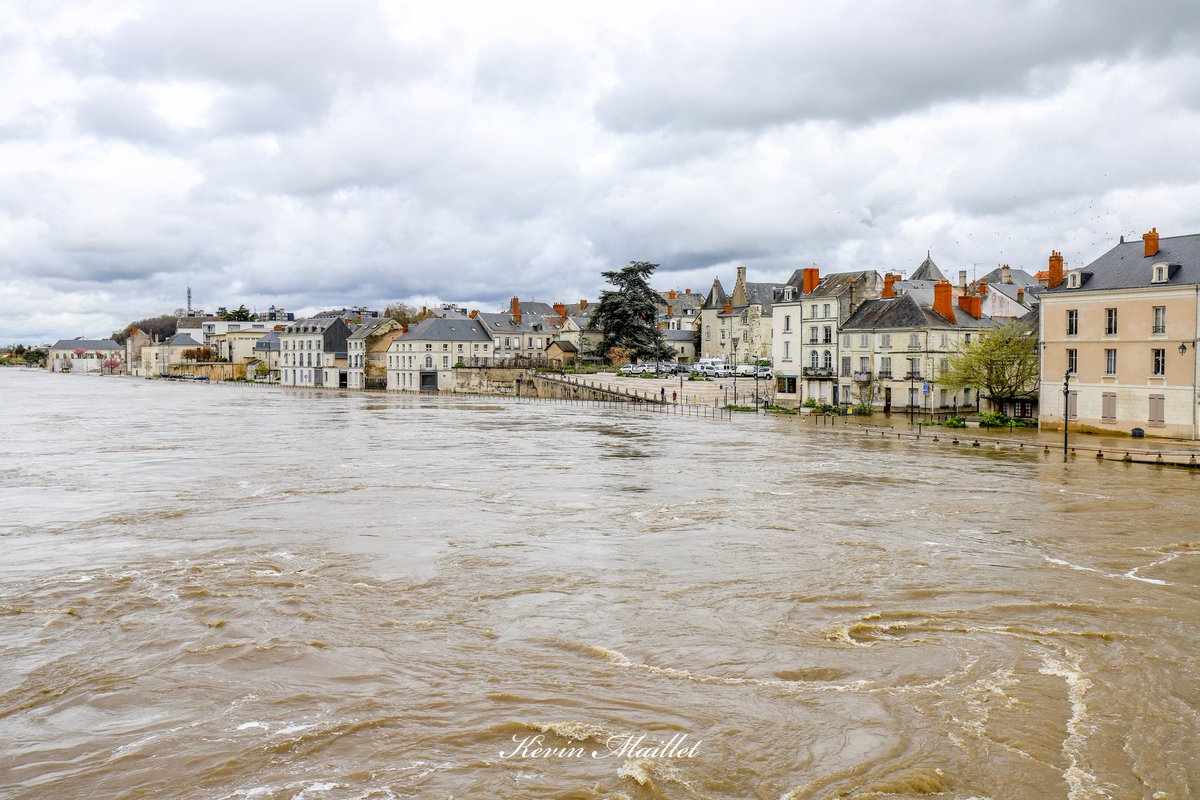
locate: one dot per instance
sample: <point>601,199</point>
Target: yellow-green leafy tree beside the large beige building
<point>1003,363</point>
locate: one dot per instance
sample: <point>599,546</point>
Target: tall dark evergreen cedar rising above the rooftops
<point>628,316</point>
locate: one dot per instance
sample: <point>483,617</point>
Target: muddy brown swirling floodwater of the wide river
<point>217,592</point>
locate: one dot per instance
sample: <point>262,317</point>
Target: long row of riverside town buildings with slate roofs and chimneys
<point>1120,333</point>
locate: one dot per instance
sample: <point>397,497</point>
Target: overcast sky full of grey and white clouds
<point>326,154</point>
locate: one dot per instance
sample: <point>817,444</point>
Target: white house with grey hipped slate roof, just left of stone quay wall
<point>424,359</point>
